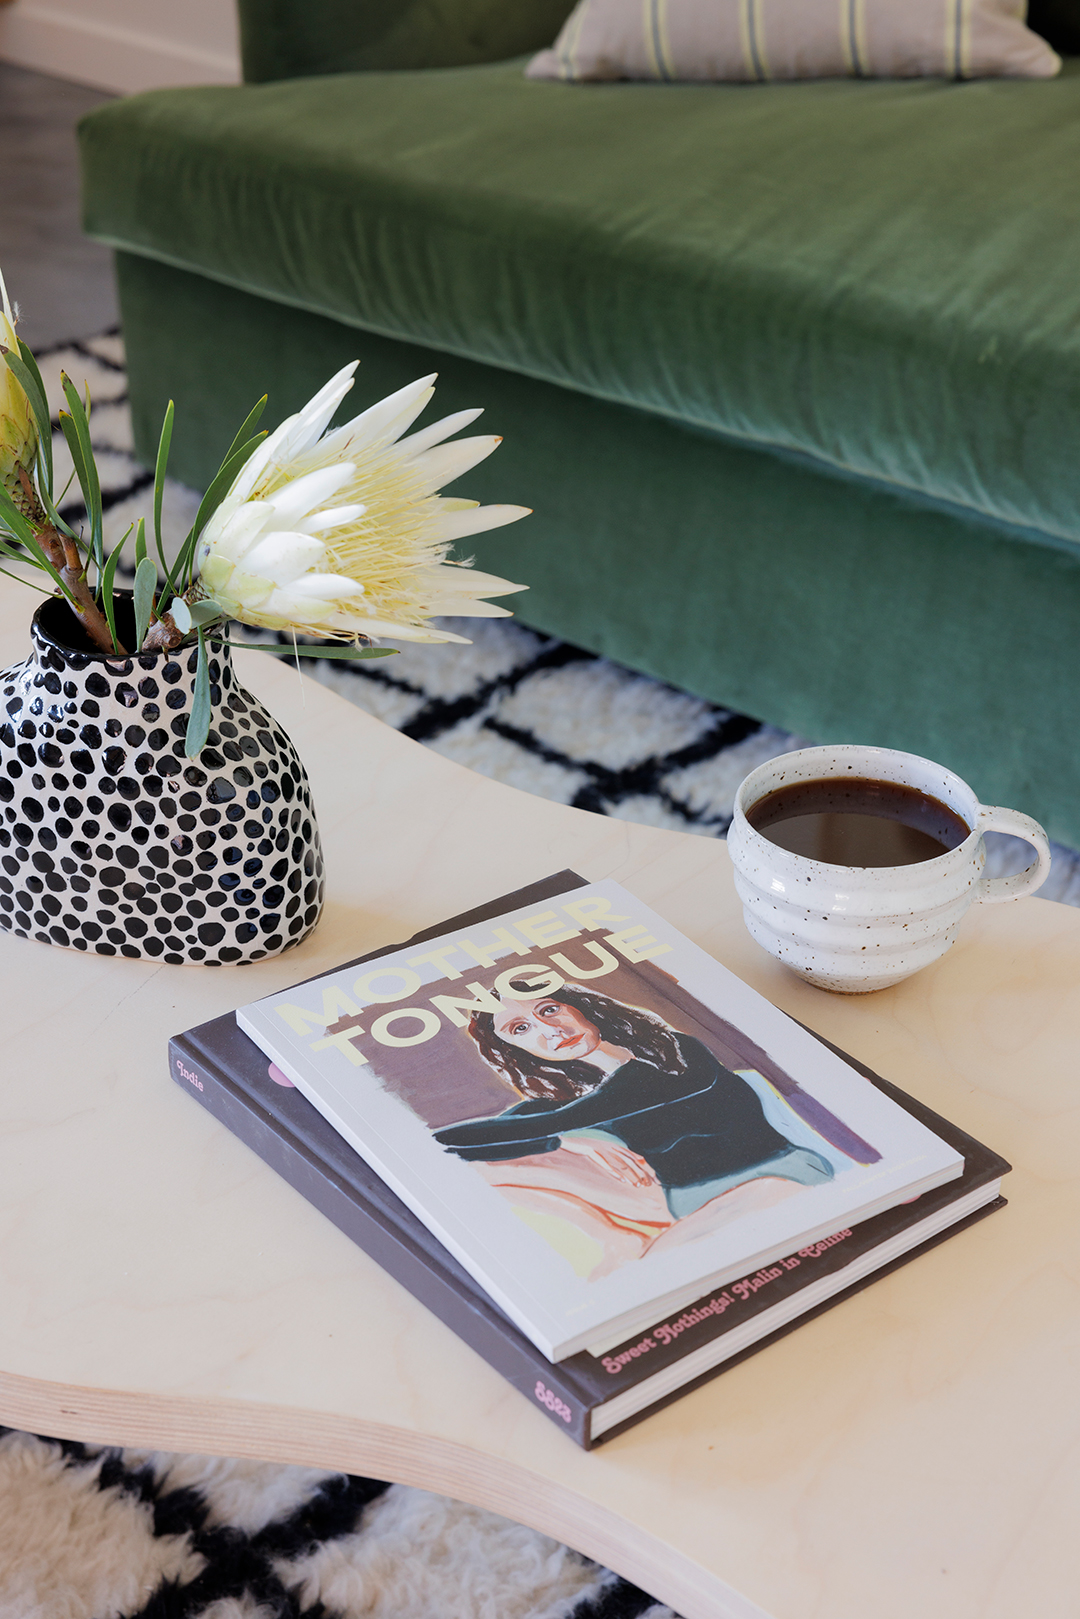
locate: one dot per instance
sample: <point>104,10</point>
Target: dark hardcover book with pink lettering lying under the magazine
<point>232,1079</point>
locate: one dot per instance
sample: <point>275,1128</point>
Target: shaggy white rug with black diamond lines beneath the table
<point>104,1534</point>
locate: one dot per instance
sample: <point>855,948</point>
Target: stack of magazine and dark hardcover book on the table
<point>597,1155</point>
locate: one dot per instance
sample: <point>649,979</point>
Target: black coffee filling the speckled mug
<point>856,822</point>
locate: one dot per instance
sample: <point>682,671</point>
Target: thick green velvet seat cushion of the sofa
<point>882,276</point>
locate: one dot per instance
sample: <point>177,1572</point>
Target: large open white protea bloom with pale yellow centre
<point>346,535</point>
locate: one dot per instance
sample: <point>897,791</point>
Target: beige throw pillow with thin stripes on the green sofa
<point>796,40</point>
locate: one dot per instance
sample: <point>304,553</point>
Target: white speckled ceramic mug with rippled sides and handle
<point>859,928</point>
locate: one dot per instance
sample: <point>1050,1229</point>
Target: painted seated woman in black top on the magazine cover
<point>674,1141</point>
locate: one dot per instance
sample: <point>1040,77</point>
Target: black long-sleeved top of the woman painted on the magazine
<point>689,1128</point>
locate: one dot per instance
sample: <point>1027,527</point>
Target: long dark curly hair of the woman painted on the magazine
<point>642,1034</point>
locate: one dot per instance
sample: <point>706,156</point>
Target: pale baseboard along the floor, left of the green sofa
<point>67,46</point>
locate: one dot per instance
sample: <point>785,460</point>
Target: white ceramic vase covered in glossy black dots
<point>113,841</point>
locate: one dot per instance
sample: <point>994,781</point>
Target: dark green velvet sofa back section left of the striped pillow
<point>286,40</point>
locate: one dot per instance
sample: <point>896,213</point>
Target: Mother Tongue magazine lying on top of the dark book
<point>593,1116</point>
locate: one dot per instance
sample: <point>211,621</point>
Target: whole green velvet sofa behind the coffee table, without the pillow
<point>791,373</point>
